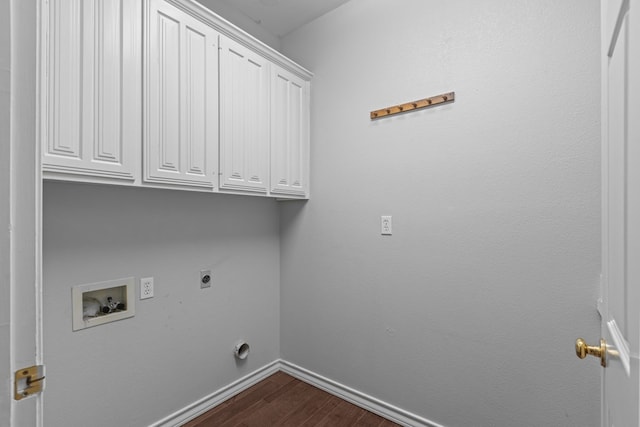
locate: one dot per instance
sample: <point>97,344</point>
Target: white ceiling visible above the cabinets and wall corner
<point>280,17</point>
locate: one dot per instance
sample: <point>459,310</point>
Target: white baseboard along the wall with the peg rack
<point>362,400</point>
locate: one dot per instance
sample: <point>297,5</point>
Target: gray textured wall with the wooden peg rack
<point>468,313</point>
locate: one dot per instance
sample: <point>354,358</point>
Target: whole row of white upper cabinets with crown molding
<point>165,93</point>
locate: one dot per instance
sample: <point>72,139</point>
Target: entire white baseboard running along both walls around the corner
<point>362,400</point>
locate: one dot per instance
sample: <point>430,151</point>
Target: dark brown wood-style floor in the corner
<point>281,400</point>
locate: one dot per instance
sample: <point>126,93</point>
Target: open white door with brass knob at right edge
<point>620,304</point>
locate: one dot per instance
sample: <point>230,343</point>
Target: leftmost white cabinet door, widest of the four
<point>91,87</point>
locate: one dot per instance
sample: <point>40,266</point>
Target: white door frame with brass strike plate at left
<point>24,194</point>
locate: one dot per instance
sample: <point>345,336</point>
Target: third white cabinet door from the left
<point>244,118</point>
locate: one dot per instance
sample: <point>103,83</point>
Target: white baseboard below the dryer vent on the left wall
<point>209,402</point>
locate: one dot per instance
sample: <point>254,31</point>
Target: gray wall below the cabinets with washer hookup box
<point>178,347</point>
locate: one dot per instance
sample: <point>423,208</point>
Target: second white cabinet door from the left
<point>181,98</point>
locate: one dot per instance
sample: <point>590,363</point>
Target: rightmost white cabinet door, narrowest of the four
<point>289,133</point>
